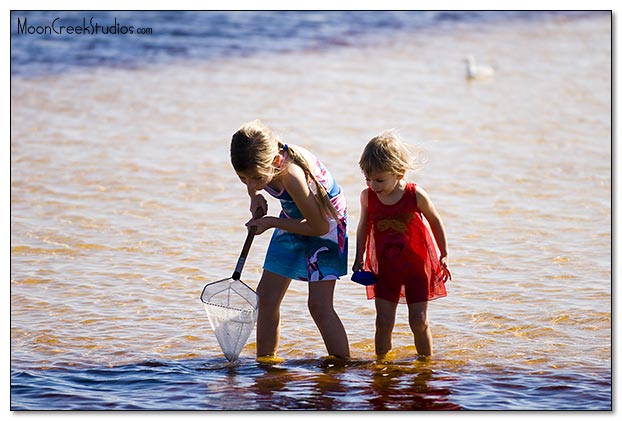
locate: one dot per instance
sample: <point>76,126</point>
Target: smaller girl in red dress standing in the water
<point>396,243</point>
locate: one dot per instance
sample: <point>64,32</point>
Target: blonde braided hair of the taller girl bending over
<point>254,146</point>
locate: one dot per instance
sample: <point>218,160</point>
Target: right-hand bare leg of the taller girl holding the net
<point>328,322</point>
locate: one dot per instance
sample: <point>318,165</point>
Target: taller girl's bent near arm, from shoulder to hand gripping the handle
<point>314,222</point>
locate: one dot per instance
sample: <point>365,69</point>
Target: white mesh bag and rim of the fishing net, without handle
<point>231,308</point>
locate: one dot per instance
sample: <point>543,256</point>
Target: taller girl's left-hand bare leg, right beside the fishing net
<point>271,290</point>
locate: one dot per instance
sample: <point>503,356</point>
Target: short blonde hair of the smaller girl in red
<point>387,153</point>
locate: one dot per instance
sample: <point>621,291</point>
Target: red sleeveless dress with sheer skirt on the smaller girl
<point>401,252</point>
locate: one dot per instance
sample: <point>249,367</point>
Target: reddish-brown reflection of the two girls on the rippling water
<point>352,385</point>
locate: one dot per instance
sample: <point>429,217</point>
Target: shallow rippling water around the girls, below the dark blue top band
<point>124,204</point>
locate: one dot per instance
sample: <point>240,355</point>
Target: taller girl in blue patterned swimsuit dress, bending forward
<point>309,242</point>
